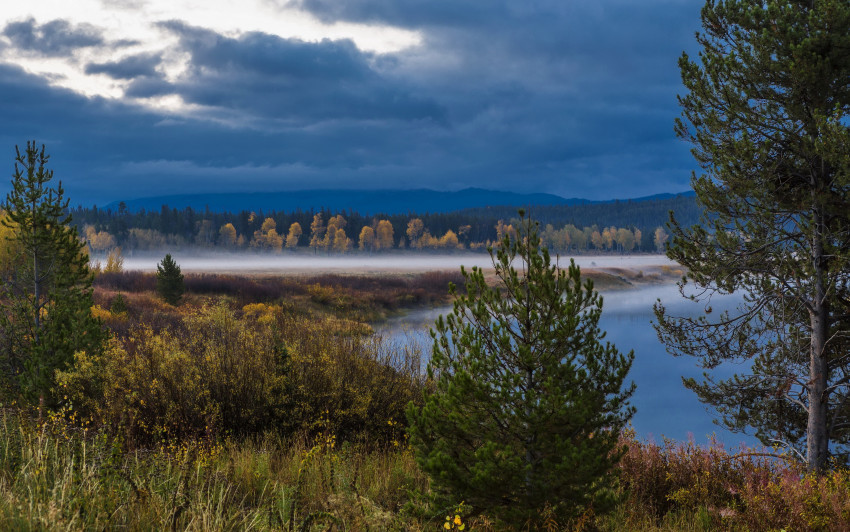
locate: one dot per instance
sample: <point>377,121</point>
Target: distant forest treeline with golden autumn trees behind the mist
<point>620,226</point>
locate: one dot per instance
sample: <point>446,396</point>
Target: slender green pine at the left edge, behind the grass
<point>48,297</point>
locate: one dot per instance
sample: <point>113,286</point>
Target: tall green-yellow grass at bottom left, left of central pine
<point>54,479</point>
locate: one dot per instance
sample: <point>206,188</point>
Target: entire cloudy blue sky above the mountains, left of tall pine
<point>139,98</point>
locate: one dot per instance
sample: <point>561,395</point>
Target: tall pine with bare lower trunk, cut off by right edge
<point>767,110</point>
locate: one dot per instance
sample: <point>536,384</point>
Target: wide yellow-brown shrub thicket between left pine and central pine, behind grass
<point>221,372</point>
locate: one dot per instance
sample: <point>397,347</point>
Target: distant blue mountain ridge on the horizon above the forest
<point>367,202</point>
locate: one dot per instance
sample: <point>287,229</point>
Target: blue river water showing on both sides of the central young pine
<point>665,408</point>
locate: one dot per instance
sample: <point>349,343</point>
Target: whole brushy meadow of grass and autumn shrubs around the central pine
<point>268,403</point>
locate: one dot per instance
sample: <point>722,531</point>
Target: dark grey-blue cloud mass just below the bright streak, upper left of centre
<point>286,79</point>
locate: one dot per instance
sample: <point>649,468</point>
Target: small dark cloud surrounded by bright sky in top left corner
<point>54,38</point>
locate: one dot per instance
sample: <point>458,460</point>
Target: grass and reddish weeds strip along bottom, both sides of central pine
<point>55,477</point>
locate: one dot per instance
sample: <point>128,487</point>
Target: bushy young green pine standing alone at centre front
<point>528,402</point>
